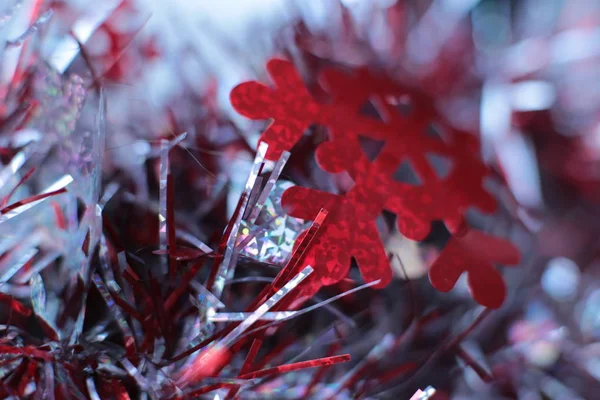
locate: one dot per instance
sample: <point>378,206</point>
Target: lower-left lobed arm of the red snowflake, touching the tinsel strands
<point>350,229</point>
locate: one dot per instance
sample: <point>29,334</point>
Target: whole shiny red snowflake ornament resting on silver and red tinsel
<point>403,128</point>
